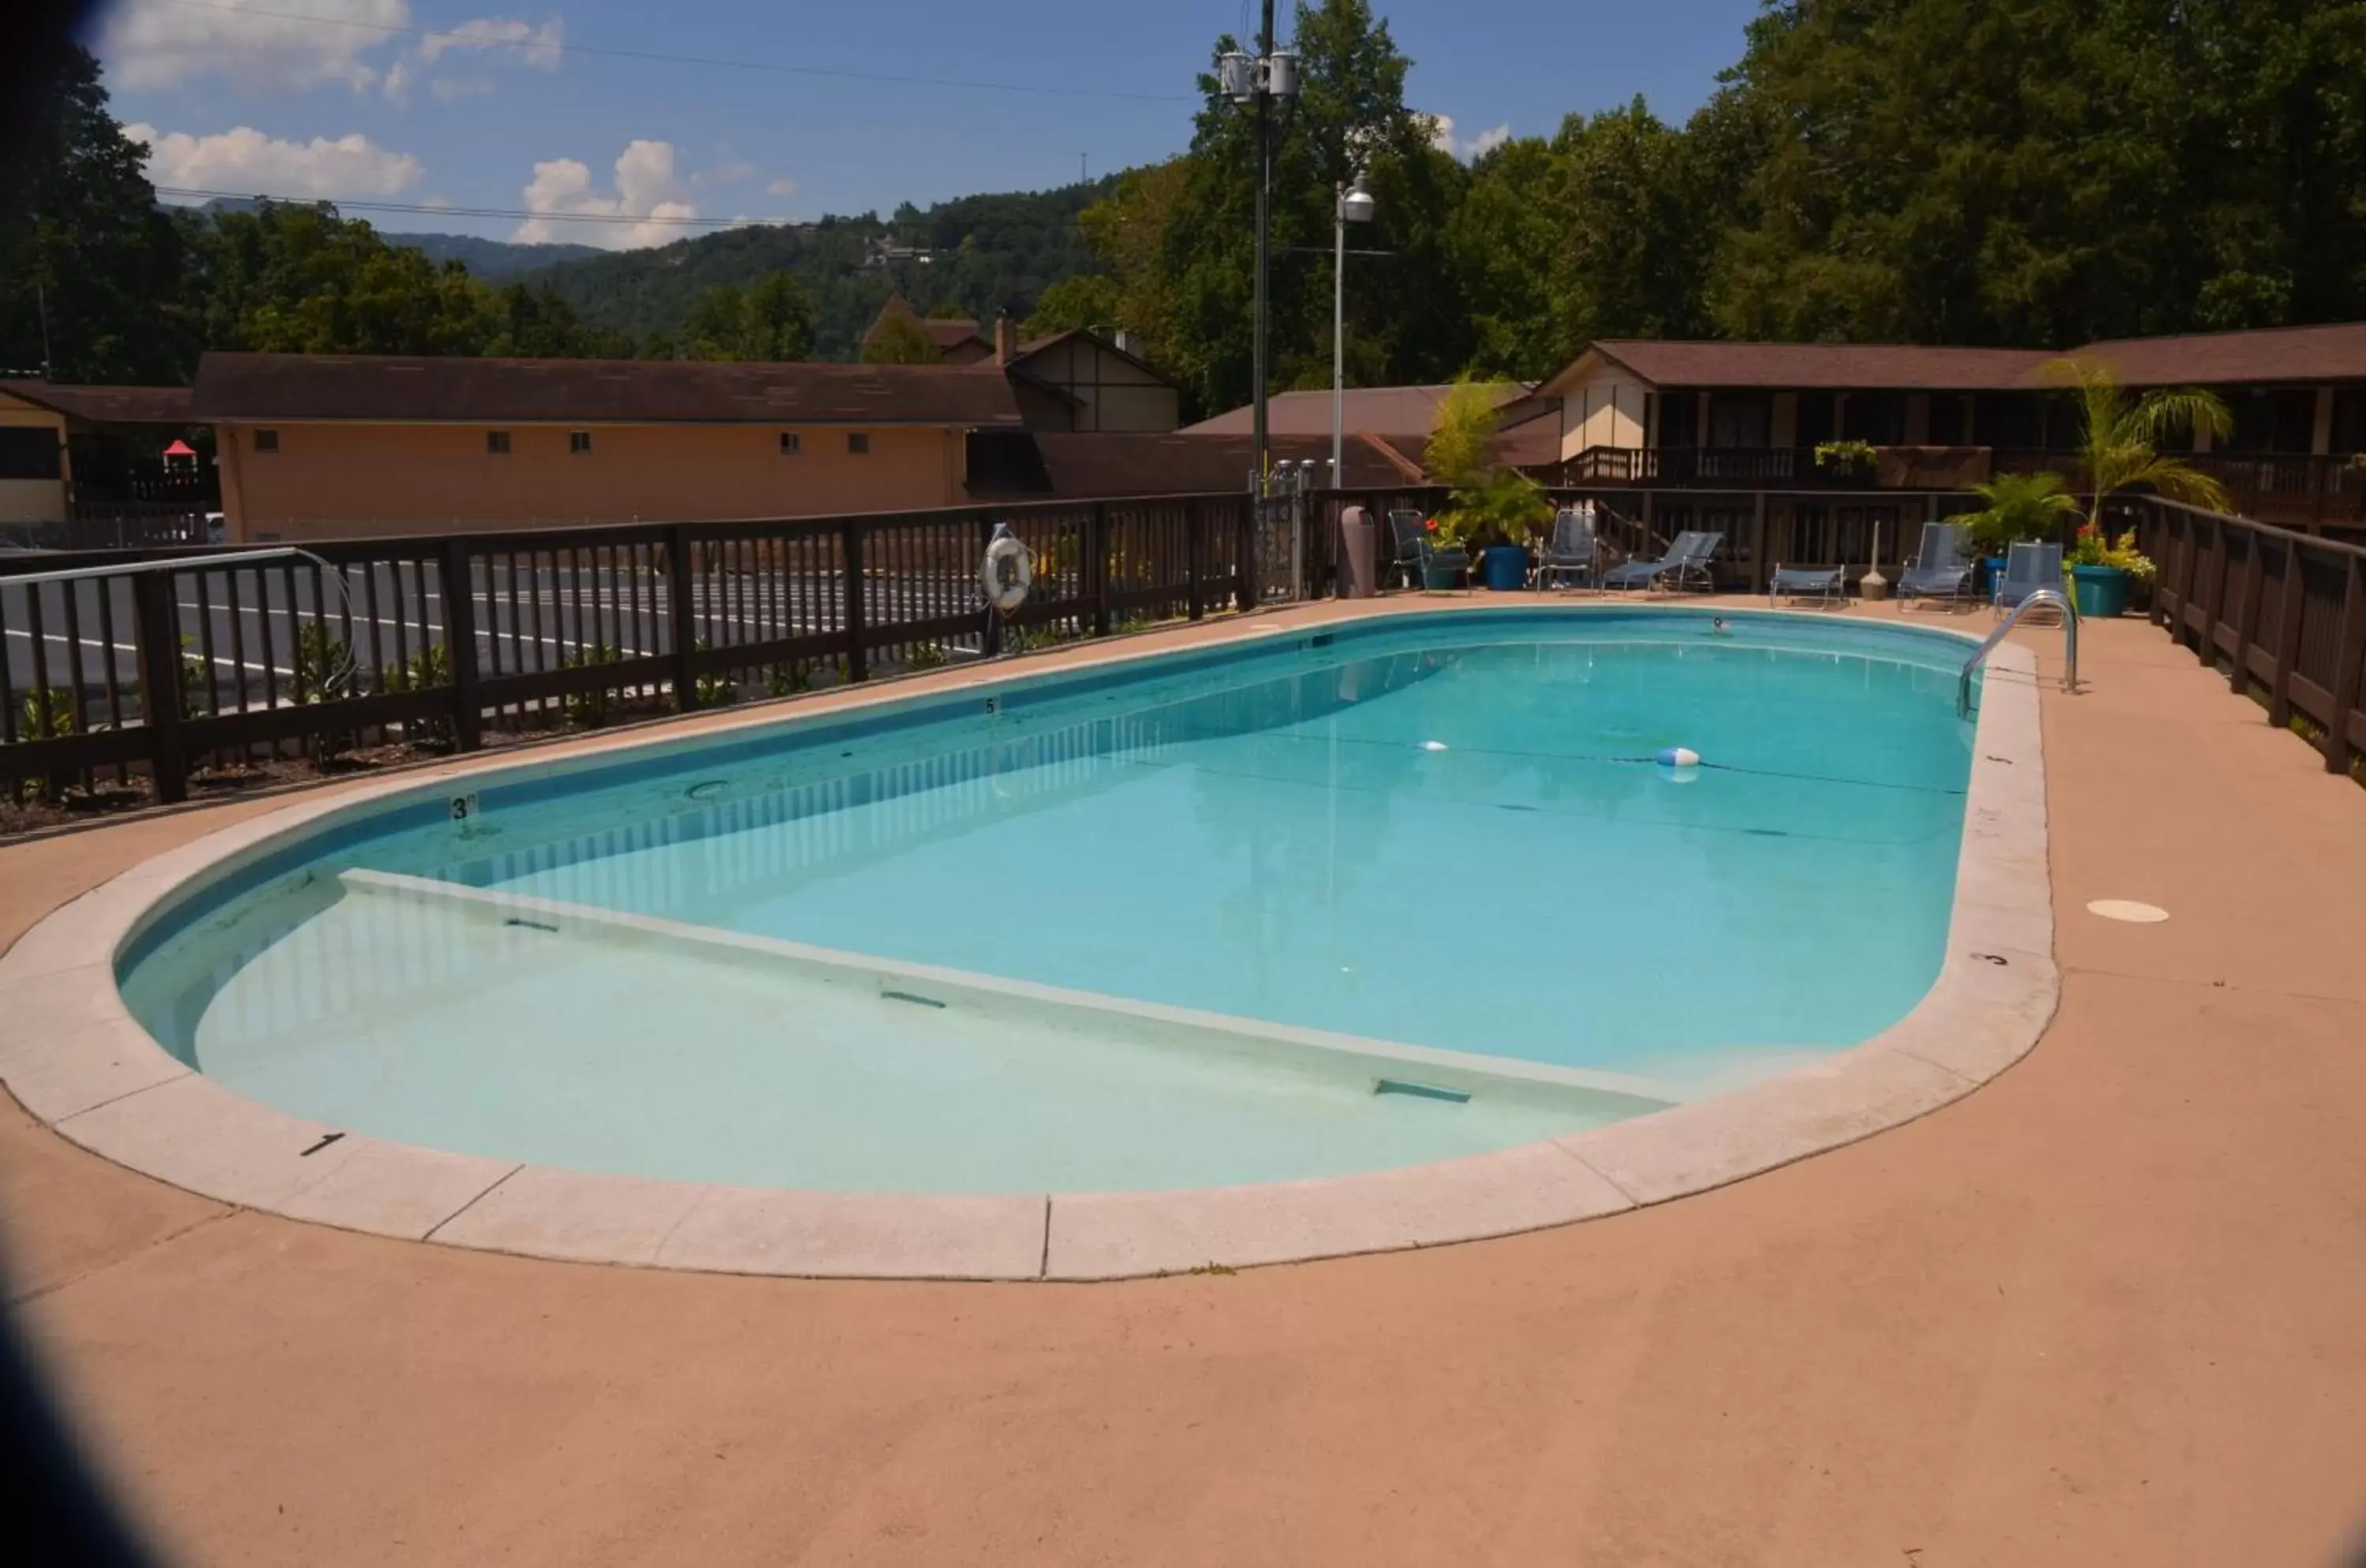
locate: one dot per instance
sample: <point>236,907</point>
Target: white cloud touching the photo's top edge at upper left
<point>153,44</point>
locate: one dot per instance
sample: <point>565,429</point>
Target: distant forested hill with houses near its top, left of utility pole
<point>988,254</point>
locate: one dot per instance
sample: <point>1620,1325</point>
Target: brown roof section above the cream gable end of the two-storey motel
<point>1830,365</point>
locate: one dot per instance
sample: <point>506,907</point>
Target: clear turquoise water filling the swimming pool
<point>1447,831</point>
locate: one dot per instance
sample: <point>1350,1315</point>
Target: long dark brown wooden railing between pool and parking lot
<point>439,642</point>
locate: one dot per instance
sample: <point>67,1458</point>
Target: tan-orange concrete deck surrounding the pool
<point>2100,1311</point>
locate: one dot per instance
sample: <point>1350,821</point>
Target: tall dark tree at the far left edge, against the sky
<point>84,247</point>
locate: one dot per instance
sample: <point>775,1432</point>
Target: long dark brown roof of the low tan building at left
<point>600,391</point>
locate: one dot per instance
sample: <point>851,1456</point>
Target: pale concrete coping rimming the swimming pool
<point>91,1073</point>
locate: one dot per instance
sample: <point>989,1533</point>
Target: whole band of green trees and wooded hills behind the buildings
<point>1925,171</point>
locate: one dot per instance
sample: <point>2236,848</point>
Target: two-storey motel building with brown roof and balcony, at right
<point>1728,434</point>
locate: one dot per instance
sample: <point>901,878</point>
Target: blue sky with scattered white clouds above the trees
<point>484,105</point>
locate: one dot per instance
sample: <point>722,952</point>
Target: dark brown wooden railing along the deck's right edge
<point>2282,614</point>
